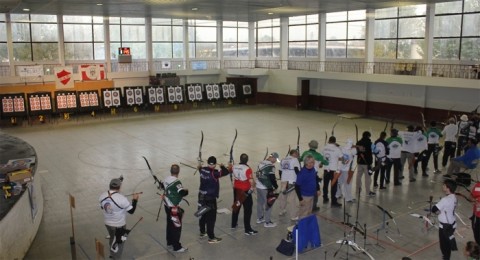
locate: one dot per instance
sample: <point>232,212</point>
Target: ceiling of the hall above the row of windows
<point>228,10</point>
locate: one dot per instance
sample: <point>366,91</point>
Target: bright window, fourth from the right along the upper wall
<point>303,36</point>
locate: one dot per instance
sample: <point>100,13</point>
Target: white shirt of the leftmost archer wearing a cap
<point>114,208</point>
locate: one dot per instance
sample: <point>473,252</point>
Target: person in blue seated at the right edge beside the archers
<point>467,161</point>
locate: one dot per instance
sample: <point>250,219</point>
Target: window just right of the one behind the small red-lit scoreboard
<point>167,38</point>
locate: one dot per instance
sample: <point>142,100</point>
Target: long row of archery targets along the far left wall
<point>66,102</point>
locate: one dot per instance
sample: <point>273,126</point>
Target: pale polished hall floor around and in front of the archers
<point>79,157</point>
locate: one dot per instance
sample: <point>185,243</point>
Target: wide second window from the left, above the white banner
<point>34,37</point>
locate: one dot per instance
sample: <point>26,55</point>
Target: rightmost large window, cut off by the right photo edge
<point>457,34</point>
